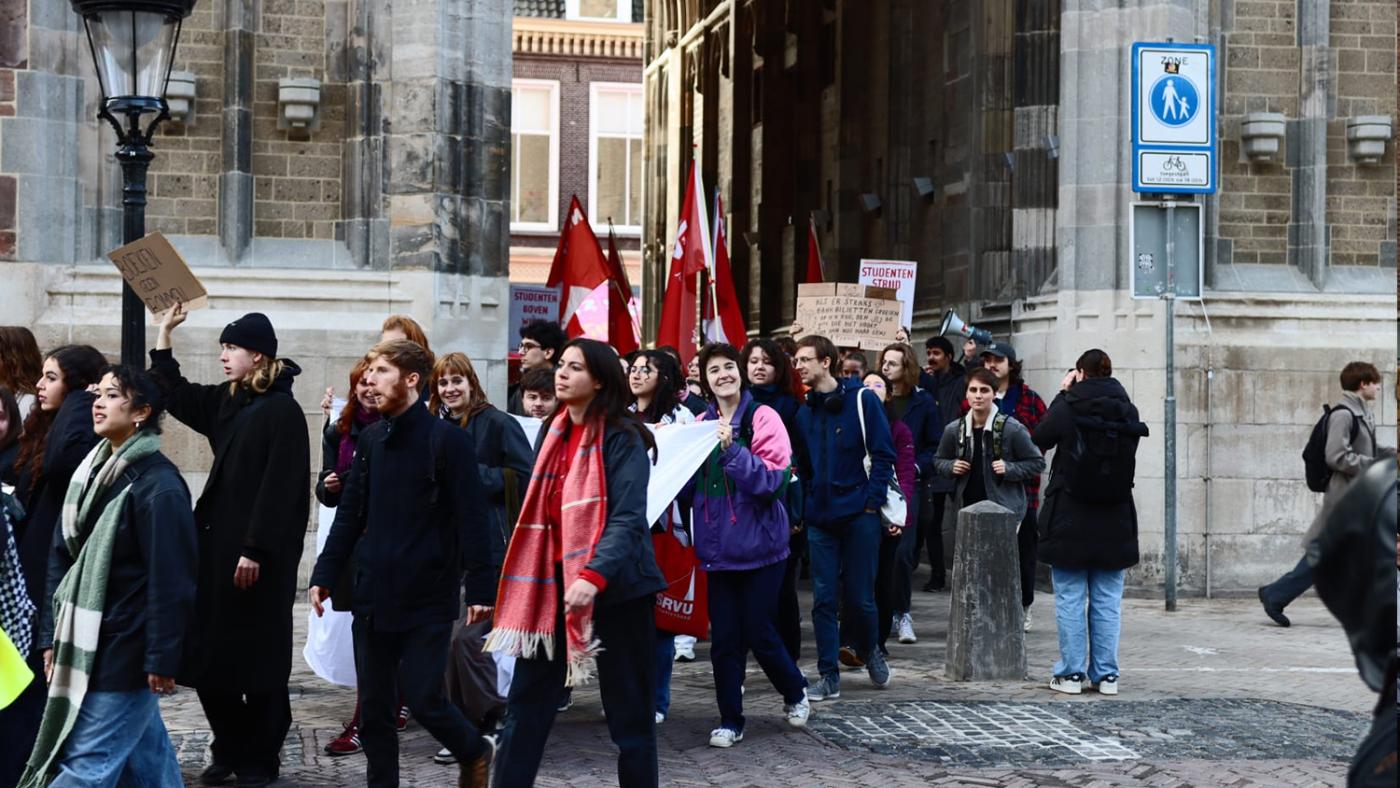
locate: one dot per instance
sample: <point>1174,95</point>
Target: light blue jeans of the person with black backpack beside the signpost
<point>1091,646</point>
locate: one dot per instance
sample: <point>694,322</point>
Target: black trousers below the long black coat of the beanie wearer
<point>250,729</point>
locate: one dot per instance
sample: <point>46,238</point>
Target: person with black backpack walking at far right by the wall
<point>1350,449</point>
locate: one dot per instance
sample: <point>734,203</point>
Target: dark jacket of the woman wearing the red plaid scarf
<point>624,555</point>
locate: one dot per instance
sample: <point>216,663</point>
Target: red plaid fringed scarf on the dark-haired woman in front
<point>527,603</point>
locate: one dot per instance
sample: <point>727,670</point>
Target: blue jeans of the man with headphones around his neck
<point>843,552</point>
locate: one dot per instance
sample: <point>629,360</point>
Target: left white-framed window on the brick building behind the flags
<point>534,155</point>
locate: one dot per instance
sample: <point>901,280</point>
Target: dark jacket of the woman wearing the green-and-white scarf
<point>150,587</point>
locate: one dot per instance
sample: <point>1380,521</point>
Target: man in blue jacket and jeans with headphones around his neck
<point>843,506</point>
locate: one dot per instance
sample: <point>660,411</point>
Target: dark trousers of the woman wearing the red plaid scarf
<point>626,681</point>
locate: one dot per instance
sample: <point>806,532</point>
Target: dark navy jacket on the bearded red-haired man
<point>412,514</point>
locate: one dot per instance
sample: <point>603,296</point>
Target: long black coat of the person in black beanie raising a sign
<point>255,505</point>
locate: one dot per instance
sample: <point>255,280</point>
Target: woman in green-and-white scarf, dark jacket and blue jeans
<point>122,575</point>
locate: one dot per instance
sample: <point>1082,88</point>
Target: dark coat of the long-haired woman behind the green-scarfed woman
<point>71,439</point>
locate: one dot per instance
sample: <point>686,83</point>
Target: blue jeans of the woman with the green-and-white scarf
<point>118,740</point>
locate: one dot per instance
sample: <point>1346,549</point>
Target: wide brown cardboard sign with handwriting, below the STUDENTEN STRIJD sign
<point>850,316</point>
